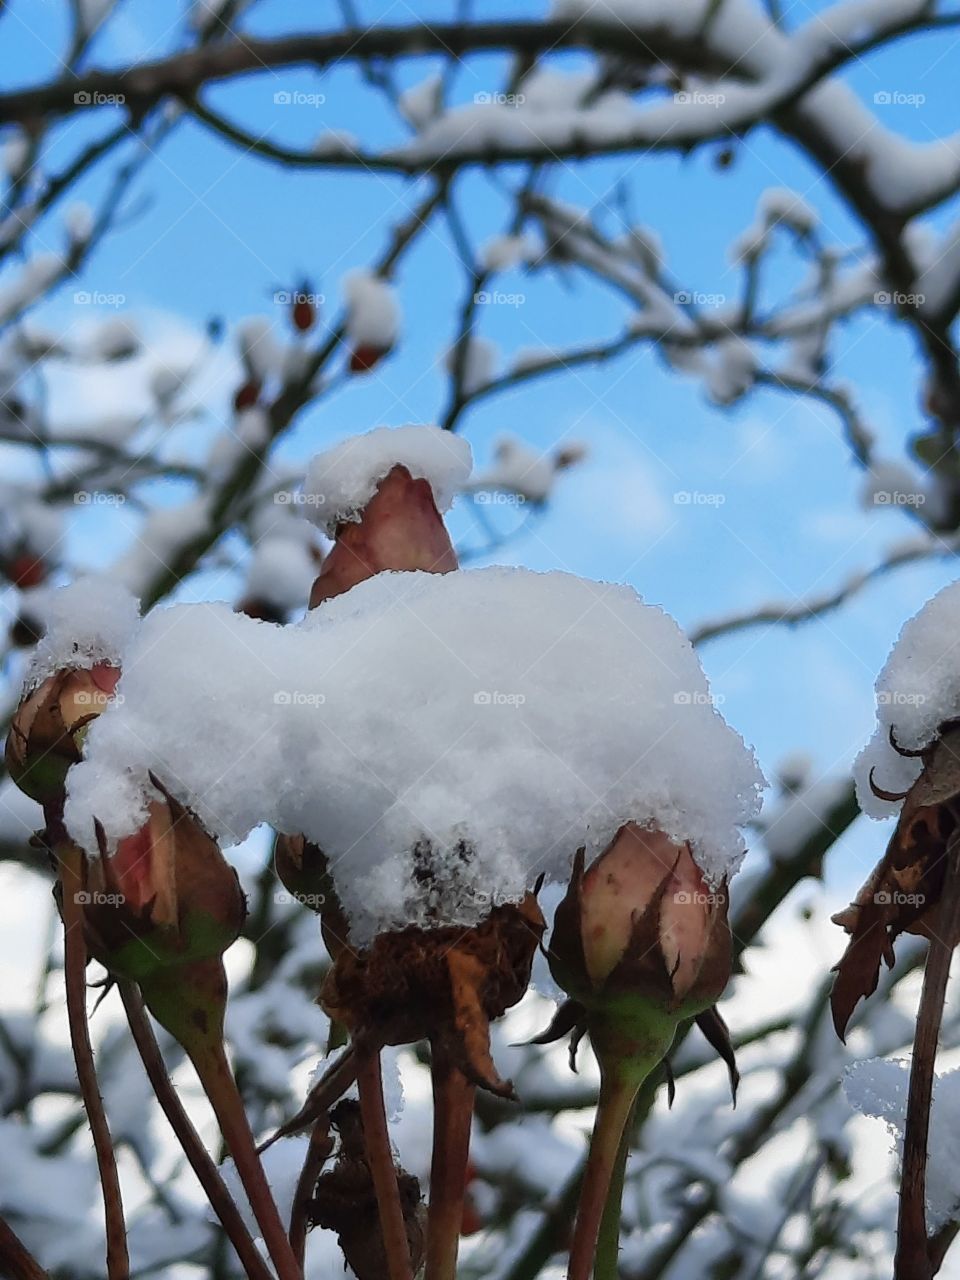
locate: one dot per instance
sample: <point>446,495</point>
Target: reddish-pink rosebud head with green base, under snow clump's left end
<point>167,897</point>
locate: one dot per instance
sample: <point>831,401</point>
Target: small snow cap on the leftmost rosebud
<point>90,621</point>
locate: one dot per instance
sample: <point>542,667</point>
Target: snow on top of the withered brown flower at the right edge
<point>917,691</point>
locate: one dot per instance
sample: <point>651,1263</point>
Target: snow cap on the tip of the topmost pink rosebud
<point>341,482</point>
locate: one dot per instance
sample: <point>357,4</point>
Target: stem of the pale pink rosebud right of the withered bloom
<point>618,1096</point>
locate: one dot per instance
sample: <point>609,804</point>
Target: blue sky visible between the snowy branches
<point>217,232</point>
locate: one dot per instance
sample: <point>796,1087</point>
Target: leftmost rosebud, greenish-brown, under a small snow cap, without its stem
<point>47,732</point>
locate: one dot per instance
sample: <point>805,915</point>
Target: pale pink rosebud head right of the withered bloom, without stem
<point>641,939</point>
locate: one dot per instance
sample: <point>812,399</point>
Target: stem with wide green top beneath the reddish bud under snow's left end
<point>190,1003</point>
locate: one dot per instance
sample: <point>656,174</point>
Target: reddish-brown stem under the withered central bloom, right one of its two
<point>454,1116</point>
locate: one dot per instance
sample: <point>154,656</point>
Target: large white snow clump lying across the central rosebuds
<point>451,710</point>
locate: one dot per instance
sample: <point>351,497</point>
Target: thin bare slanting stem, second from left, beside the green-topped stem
<point>189,1139</point>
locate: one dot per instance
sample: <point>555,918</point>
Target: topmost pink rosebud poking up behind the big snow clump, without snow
<point>400,529</point>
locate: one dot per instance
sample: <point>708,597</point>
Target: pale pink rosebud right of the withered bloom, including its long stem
<point>639,943</point>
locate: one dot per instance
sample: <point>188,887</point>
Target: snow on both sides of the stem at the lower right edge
<point>880,1089</point>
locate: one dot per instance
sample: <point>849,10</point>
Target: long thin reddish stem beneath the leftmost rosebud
<point>118,1267</point>
